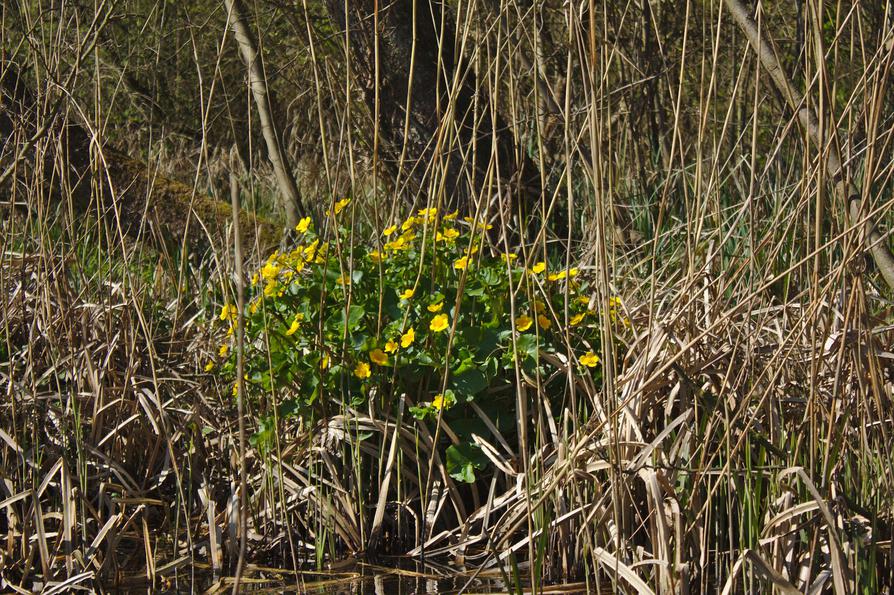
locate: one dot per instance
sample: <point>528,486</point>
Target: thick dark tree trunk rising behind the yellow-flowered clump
<point>415,113</point>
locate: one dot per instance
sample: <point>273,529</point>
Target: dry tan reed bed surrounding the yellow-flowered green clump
<point>738,440</point>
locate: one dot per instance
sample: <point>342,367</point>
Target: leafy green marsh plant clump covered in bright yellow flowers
<point>424,313</point>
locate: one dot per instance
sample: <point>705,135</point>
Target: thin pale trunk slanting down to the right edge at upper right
<point>845,190</point>
